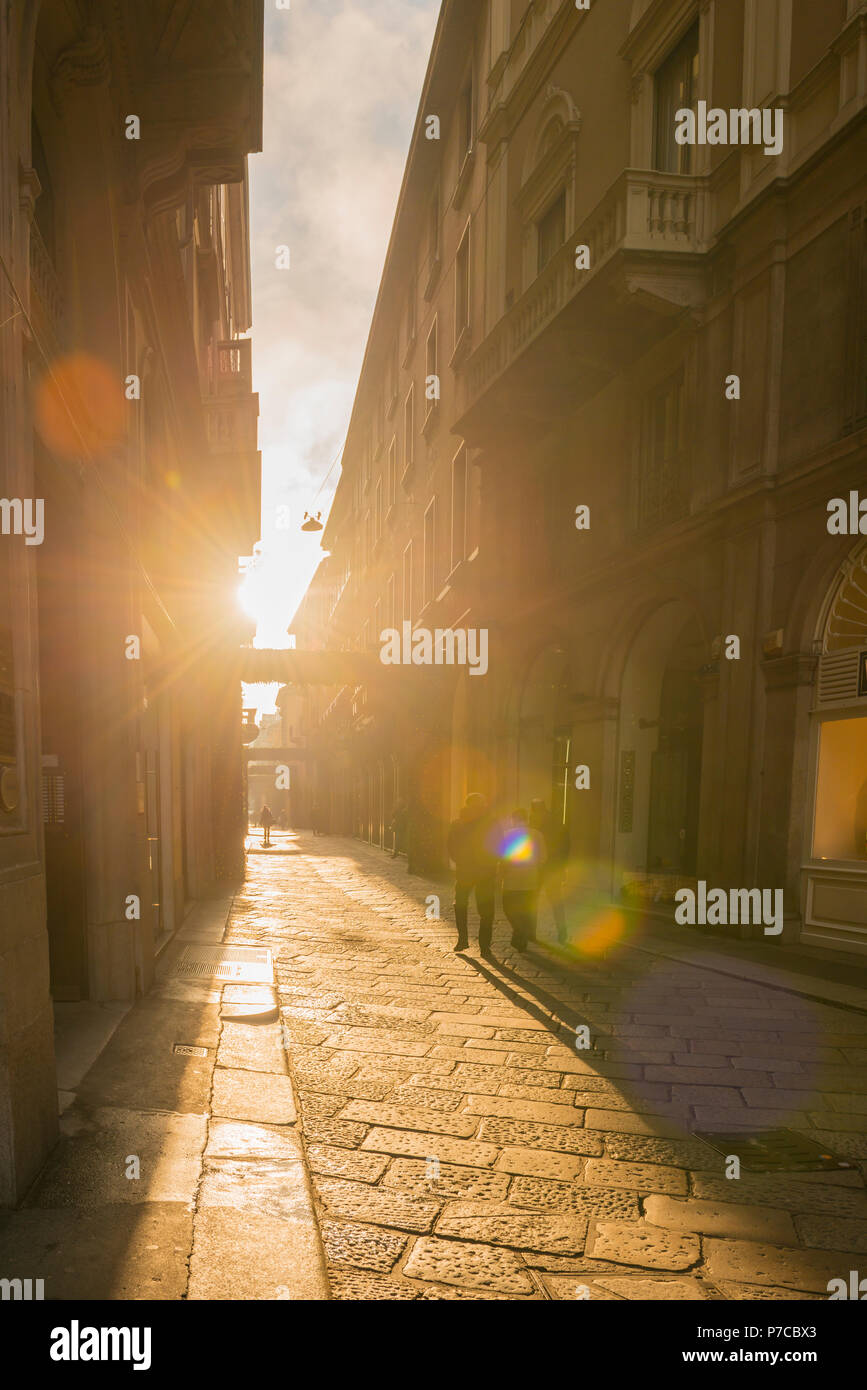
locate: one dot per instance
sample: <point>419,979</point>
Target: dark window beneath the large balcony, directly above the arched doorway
<point>662,455</point>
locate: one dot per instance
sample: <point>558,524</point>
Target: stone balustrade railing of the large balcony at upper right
<point>644,212</point>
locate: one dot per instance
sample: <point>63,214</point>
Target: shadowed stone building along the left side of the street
<point>127,418</point>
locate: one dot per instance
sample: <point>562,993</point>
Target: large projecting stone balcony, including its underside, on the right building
<point>575,329</point>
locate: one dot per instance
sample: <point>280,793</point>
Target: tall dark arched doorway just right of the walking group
<point>661,753</point>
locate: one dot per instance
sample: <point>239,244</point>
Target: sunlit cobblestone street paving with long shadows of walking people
<point>462,1147</point>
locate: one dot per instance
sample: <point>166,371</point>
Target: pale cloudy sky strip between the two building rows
<point>342,87</point>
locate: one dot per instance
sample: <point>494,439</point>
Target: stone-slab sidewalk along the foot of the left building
<point>177,1175</point>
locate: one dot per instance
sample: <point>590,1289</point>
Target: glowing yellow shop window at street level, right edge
<point>841,792</point>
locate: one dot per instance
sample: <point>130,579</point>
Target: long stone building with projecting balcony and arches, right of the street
<point>651,359</point>
